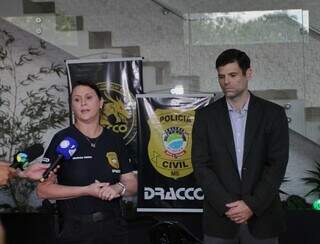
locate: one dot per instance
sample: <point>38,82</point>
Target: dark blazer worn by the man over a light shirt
<point>265,157</point>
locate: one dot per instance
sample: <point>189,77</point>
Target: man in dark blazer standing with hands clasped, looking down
<point>240,147</point>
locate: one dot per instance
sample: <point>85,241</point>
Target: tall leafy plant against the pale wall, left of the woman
<point>28,108</point>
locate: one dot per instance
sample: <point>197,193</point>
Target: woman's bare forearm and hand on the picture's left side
<point>51,190</point>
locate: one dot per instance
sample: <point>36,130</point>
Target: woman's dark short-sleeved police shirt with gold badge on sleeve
<point>105,162</point>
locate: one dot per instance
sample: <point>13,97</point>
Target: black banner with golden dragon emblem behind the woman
<point>119,80</point>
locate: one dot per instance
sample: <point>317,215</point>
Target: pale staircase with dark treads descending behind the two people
<point>67,33</point>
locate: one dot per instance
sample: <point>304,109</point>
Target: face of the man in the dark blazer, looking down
<point>232,81</point>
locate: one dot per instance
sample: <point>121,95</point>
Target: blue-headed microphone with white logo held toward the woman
<point>65,151</point>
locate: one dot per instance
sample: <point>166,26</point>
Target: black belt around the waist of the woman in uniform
<point>93,217</point>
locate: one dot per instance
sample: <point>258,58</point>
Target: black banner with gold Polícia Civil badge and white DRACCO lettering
<point>166,180</point>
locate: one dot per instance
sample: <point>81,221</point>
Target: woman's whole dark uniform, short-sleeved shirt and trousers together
<point>89,219</point>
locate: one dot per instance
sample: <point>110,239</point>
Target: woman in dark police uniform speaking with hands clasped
<point>89,185</point>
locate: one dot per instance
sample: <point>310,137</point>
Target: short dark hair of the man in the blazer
<point>234,55</point>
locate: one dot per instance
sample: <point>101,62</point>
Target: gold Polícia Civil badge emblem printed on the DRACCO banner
<point>169,146</point>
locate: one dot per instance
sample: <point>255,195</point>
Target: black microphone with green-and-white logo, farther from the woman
<point>22,158</point>
